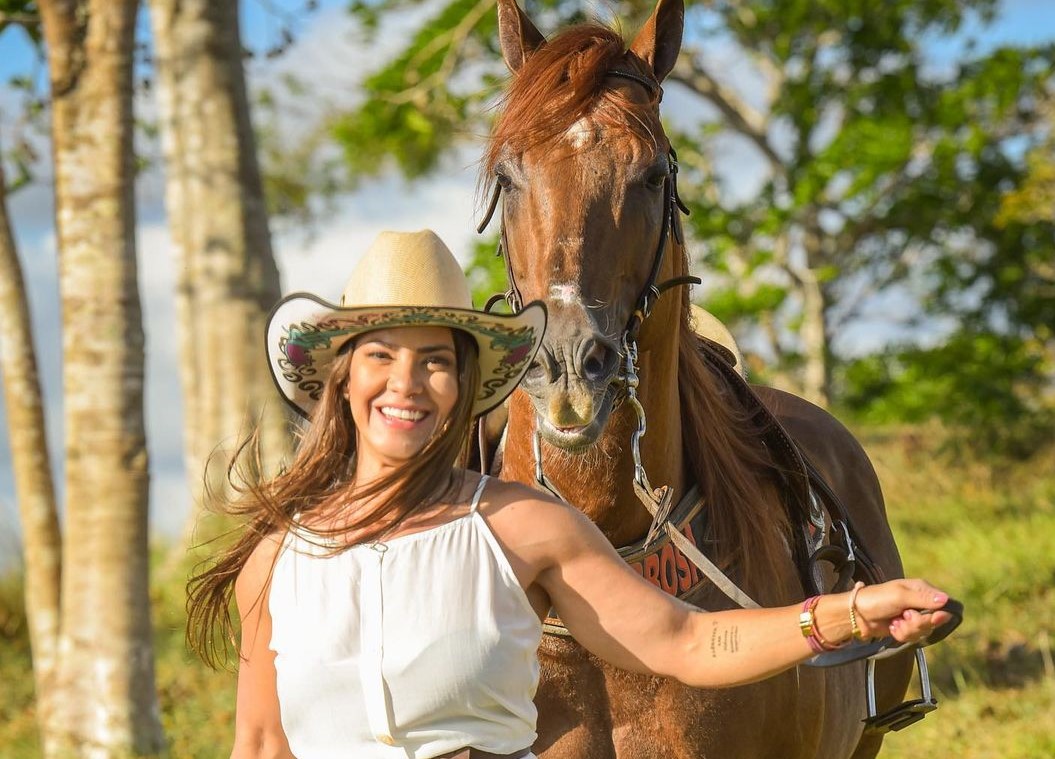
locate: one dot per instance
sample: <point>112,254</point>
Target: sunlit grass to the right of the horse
<point>988,536</point>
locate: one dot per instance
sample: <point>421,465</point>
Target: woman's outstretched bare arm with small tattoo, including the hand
<point>622,618</point>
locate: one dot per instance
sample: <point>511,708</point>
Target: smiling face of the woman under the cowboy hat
<point>402,386</point>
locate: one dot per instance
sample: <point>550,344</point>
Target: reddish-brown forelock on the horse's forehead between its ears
<point>561,83</point>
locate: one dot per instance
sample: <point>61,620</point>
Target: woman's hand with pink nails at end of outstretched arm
<point>906,610</point>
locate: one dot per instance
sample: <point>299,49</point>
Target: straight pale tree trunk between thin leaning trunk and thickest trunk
<point>105,701</point>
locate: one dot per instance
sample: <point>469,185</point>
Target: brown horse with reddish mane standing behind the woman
<point>588,218</point>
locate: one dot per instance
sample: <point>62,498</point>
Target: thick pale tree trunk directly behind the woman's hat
<point>217,213</point>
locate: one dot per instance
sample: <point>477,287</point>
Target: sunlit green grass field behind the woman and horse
<point>986,535</point>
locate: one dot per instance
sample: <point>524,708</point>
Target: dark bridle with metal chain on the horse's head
<point>659,502</point>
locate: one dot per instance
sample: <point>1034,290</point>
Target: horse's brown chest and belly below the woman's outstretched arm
<point>589,710</point>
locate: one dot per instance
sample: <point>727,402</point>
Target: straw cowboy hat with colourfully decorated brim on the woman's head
<point>405,279</point>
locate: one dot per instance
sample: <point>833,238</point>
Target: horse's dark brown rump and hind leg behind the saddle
<point>847,468</point>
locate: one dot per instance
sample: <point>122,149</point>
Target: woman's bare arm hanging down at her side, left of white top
<point>258,728</point>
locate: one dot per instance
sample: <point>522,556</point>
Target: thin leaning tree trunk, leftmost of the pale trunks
<point>34,489</point>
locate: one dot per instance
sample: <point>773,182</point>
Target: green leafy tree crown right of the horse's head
<point>880,169</point>
